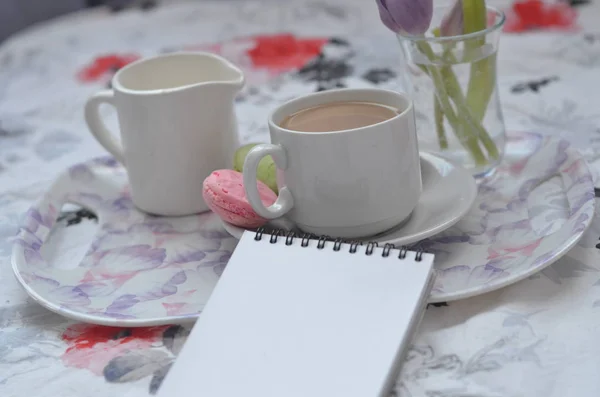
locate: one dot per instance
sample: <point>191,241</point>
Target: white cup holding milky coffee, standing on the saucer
<point>347,184</point>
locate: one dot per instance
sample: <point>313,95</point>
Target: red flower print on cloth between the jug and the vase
<point>284,52</point>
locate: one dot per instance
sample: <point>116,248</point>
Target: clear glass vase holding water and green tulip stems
<point>452,80</point>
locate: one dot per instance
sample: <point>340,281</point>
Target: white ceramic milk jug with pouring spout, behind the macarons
<point>177,125</point>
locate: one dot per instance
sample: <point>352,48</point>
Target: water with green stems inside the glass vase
<point>456,138</point>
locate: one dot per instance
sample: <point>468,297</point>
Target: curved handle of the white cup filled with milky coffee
<point>284,201</point>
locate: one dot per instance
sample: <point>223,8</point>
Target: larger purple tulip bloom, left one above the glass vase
<point>406,16</point>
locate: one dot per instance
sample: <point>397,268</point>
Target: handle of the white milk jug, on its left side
<point>98,127</point>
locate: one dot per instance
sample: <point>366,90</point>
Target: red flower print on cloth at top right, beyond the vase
<point>537,14</point>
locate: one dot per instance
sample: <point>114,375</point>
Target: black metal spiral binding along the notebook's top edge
<point>337,243</point>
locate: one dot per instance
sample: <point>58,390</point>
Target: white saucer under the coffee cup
<point>448,194</point>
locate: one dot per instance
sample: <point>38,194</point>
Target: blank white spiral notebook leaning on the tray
<point>300,317</point>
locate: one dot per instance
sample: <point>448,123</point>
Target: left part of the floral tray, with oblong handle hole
<point>139,268</point>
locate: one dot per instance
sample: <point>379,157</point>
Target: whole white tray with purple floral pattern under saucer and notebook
<point>142,269</point>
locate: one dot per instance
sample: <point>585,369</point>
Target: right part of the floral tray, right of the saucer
<point>535,208</point>
